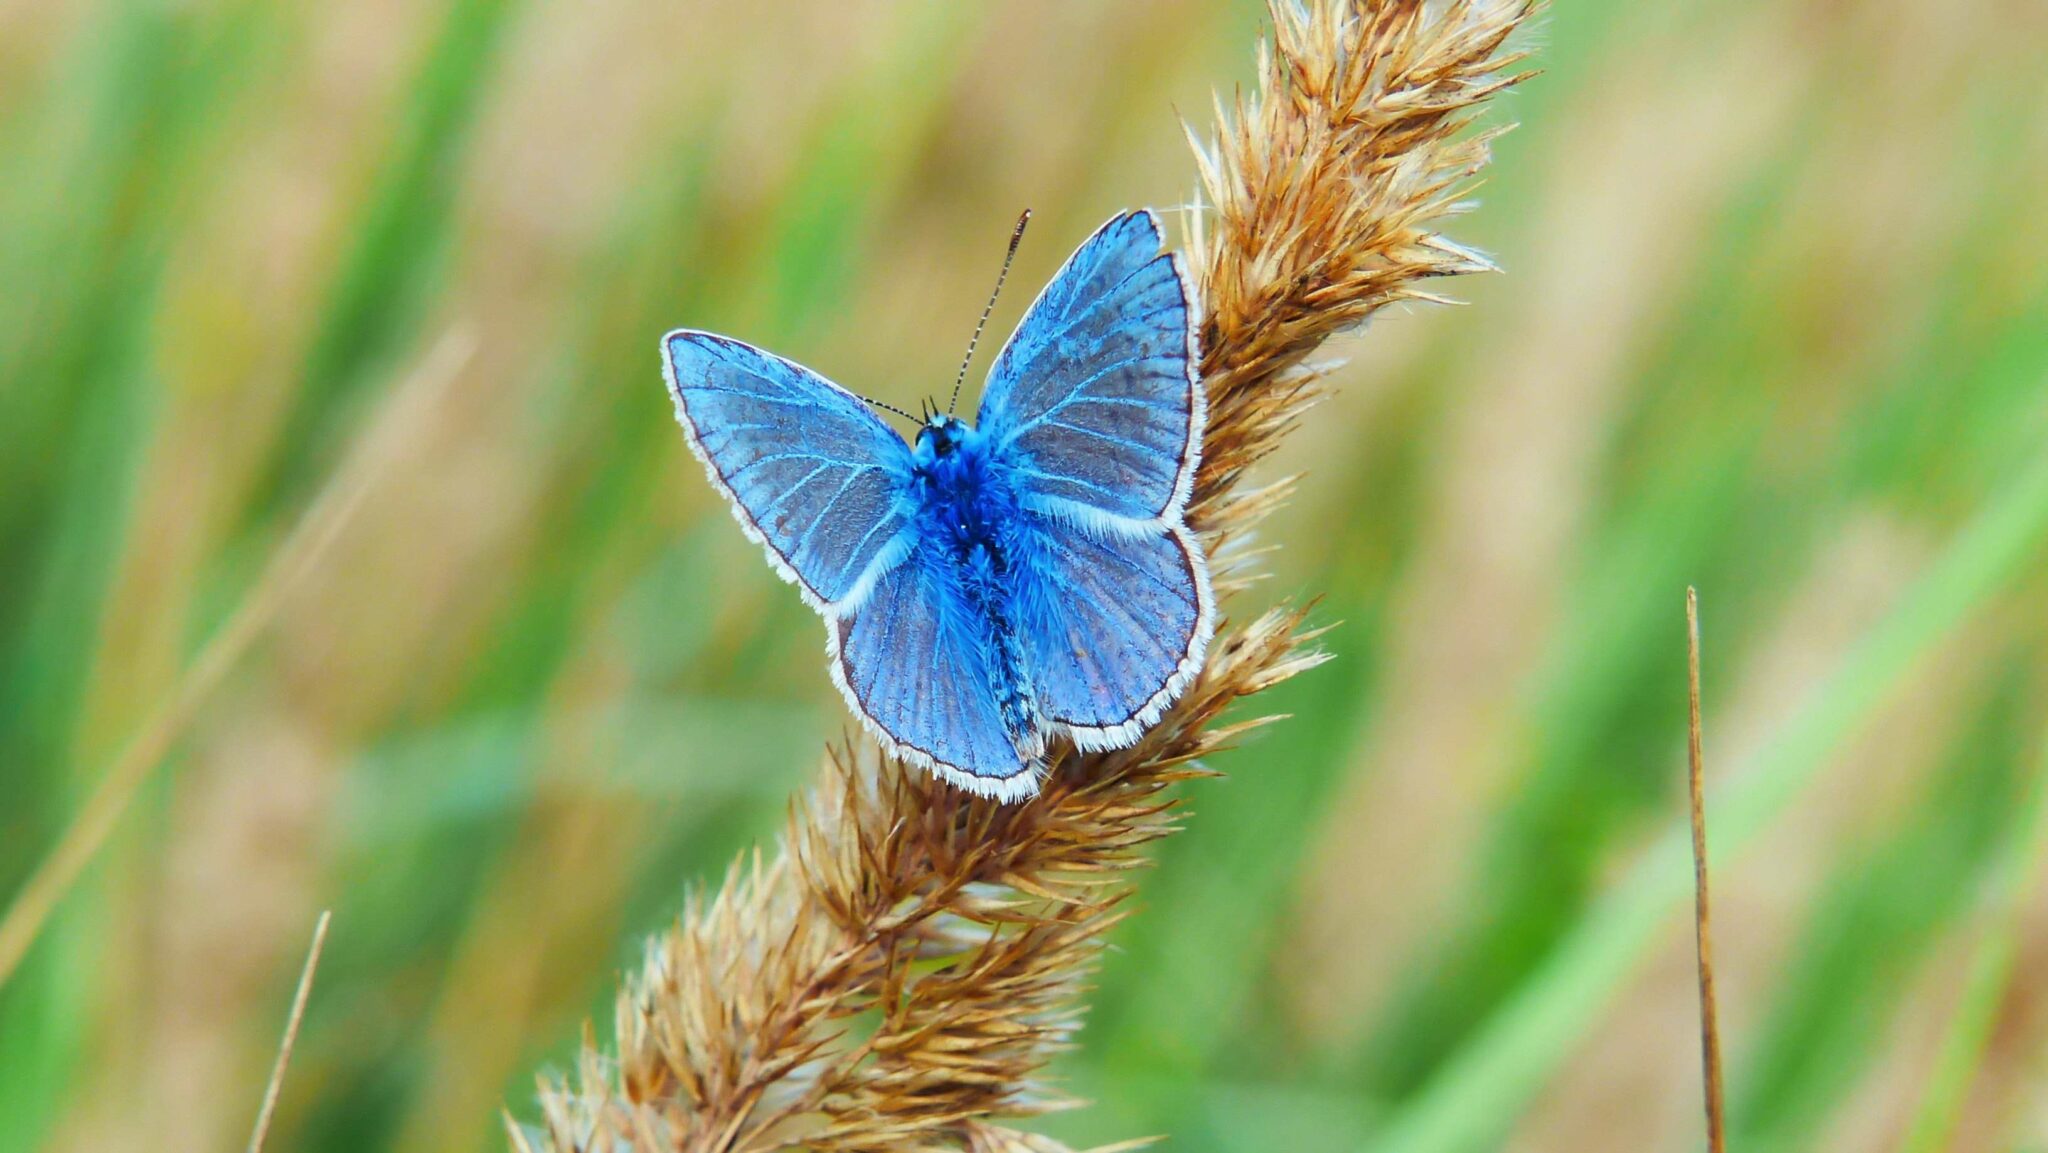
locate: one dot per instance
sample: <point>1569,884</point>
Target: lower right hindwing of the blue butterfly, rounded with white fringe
<point>1115,628</point>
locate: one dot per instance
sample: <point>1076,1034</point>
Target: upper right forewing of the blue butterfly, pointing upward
<point>1095,402</point>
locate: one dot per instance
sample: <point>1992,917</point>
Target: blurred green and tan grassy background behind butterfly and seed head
<point>1775,323</point>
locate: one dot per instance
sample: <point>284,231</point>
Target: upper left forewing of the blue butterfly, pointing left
<point>816,478</point>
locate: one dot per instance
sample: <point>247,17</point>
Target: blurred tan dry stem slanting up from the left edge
<point>296,558</point>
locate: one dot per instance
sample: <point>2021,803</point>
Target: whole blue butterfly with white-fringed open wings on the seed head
<point>1002,585</point>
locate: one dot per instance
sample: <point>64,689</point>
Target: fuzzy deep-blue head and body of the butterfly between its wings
<point>970,509</point>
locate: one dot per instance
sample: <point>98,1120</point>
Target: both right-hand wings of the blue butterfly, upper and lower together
<point>1097,411</point>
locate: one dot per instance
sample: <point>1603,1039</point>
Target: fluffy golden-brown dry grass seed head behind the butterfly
<point>900,974</point>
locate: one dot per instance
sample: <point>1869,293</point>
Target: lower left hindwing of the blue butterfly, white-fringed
<point>912,665</point>
